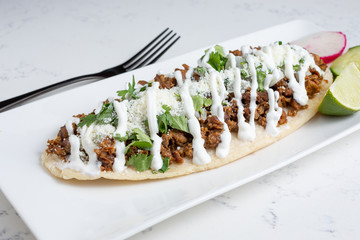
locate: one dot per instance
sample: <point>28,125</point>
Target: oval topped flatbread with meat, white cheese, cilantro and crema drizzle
<point>195,118</point>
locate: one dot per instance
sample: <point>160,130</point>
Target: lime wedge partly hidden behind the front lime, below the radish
<point>352,55</point>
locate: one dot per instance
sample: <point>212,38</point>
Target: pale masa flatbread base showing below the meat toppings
<point>238,149</point>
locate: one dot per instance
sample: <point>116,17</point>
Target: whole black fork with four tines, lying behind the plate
<point>148,55</point>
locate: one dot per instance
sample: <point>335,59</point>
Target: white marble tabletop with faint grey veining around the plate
<point>317,197</point>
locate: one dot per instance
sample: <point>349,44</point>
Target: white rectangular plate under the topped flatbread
<point>104,209</point>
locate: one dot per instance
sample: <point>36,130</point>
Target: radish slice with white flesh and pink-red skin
<point>328,45</point>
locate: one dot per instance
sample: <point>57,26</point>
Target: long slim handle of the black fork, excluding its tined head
<point>12,102</point>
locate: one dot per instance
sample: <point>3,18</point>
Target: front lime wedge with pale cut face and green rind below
<point>343,97</point>
